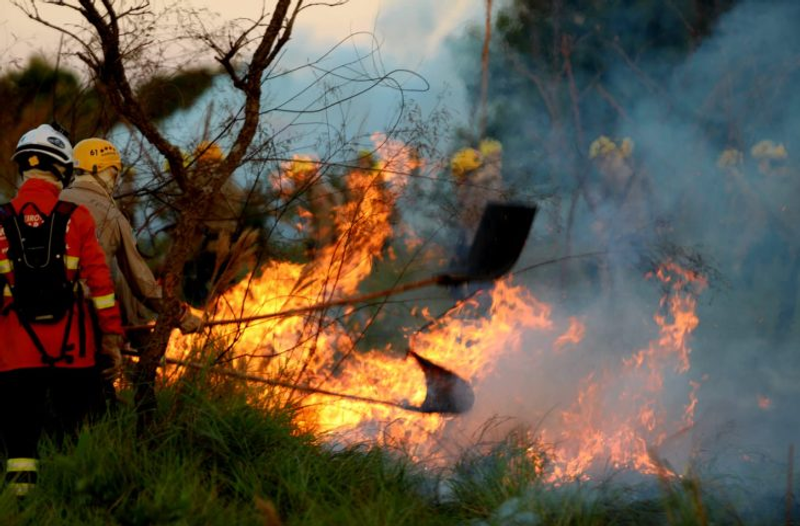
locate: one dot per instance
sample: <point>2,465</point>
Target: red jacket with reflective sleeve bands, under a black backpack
<point>83,258</point>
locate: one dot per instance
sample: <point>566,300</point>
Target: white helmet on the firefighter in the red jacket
<point>45,148</point>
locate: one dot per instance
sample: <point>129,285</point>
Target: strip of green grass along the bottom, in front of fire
<point>213,455</point>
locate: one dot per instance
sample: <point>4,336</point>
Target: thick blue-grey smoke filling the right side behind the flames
<point>716,151</point>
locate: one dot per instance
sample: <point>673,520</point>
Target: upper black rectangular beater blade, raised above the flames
<point>498,242</point>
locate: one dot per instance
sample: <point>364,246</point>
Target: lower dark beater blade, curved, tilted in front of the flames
<point>447,392</point>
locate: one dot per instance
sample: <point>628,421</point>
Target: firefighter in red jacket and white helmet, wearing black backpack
<point>47,361</point>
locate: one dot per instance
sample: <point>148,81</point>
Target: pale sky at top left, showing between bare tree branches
<point>412,35</point>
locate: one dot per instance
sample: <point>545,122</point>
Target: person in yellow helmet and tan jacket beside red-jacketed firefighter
<point>98,166</point>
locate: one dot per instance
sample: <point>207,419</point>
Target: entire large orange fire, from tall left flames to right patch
<point>617,416</point>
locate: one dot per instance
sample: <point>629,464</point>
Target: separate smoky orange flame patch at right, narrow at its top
<point>619,419</point>
